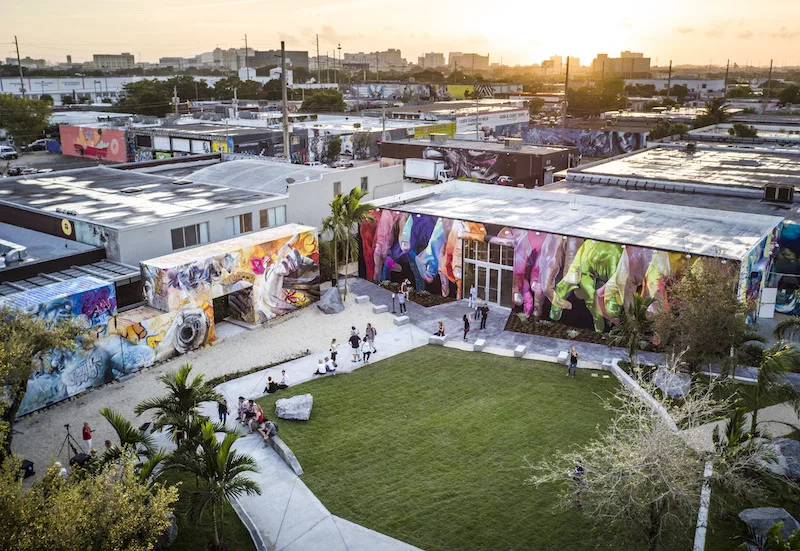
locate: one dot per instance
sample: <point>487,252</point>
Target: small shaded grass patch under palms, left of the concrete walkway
<point>195,536</point>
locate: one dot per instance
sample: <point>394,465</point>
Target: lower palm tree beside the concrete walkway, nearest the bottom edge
<point>220,472</point>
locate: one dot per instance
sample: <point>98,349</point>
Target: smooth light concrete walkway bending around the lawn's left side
<point>287,515</point>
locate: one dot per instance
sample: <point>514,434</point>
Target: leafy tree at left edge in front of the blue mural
<point>24,340</point>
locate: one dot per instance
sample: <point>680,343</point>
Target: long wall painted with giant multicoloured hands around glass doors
<point>580,282</point>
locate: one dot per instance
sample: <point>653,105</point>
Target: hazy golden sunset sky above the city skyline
<point>519,31</point>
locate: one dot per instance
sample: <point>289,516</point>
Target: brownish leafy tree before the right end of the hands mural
<point>705,316</point>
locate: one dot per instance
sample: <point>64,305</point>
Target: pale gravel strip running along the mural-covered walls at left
<point>41,433</point>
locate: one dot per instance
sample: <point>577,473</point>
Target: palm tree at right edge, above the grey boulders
<point>771,384</point>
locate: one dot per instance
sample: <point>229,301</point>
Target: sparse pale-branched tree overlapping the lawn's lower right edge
<point>641,482</point>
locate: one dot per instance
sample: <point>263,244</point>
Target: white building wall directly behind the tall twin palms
<point>309,202</point>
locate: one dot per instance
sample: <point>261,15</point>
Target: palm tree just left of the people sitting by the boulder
<point>178,409</point>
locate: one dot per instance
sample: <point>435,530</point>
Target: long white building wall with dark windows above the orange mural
<point>144,242</point>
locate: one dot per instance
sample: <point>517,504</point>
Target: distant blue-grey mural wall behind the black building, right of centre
<point>592,143</point>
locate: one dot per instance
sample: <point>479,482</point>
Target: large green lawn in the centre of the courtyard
<point>429,447</point>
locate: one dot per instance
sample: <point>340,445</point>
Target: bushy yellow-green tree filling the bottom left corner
<point>112,509</point>
